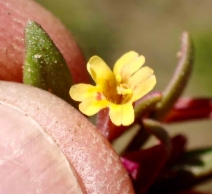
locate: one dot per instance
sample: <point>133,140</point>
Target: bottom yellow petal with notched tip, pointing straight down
<point>122,114</point>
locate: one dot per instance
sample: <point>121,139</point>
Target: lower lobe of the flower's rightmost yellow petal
<point>143,88</point>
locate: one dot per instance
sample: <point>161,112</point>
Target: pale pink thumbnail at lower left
<point>30,160</point>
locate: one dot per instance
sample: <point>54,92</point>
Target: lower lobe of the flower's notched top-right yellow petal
<point>131,68</point>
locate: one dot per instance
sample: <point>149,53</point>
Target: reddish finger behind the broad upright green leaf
<point>13,17</point>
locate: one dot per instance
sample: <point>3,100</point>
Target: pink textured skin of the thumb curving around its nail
<point>97,167</point>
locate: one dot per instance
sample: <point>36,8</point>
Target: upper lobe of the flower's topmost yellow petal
<point>124,60</point>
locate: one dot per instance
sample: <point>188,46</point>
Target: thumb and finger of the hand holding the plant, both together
<point>46,146</point>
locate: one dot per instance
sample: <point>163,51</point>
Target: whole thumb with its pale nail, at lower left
<point>46,146</point>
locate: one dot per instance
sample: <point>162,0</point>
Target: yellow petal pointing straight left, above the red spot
<point>80,92</point>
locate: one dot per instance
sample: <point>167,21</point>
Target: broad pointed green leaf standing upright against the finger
<point>44,65</point>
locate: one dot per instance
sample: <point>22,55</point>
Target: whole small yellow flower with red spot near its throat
<point>116,89</point>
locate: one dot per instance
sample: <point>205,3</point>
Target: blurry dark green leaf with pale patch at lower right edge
<point>193,168</point>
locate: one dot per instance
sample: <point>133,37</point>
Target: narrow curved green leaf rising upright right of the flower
<point>179,79</point>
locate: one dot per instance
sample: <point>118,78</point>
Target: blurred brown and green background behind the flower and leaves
<point>152,28</point>
